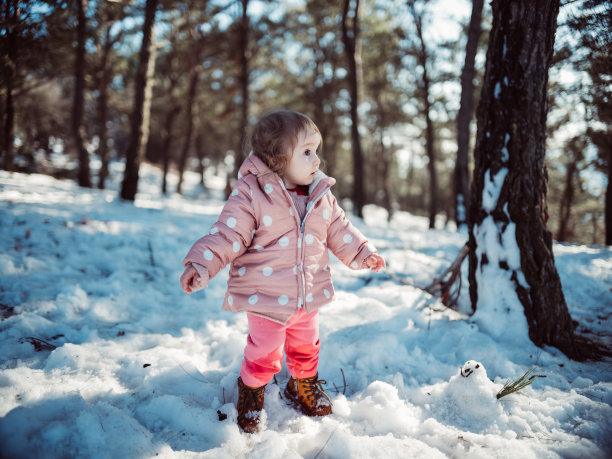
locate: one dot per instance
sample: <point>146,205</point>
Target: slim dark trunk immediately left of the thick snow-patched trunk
<point>464,116</point>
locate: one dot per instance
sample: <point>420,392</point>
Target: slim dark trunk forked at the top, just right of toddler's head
<point>352,49</point>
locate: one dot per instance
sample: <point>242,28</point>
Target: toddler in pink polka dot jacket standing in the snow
<point>275,230</point>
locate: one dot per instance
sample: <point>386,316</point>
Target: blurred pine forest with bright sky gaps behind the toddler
<point>388,83</point>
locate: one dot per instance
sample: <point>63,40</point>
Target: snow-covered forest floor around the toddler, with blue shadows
<point>103,355</point>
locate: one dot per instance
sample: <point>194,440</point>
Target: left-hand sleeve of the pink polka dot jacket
<point>229,237</point>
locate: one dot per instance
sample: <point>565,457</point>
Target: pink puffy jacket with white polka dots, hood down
<point>278,263</point>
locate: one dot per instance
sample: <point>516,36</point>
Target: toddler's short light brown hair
<point>275,135</point>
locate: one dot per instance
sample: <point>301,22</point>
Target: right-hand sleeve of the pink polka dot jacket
<point>345,241</point>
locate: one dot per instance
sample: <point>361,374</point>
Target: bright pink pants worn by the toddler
<point>263,354</point>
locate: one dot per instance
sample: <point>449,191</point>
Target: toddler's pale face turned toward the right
<point>304,161</point>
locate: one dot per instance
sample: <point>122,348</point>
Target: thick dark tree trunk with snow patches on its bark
<point>511,257</point>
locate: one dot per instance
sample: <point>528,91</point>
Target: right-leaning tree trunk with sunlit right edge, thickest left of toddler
<point>142,106</point>
